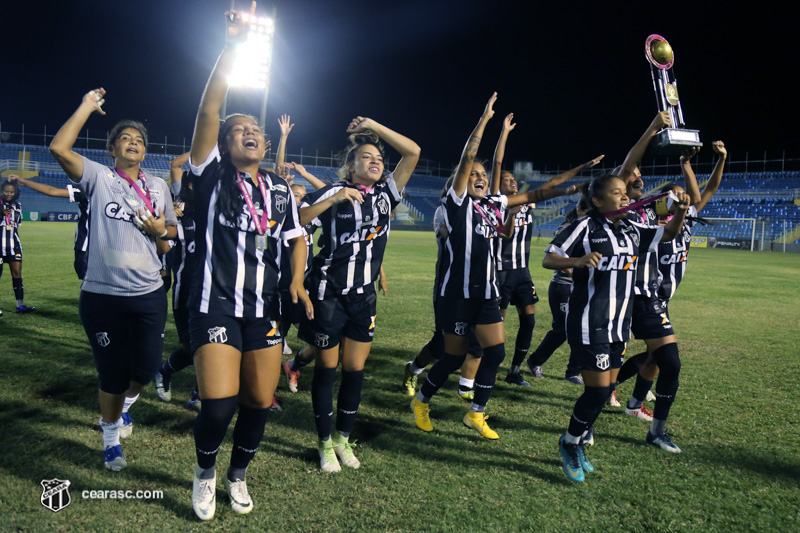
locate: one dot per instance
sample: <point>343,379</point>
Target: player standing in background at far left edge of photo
<point>10,245</point>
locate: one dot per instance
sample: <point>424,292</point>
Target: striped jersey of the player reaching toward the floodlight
<point>233,276</point>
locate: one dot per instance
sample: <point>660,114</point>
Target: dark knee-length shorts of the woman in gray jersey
<point>127,336</point>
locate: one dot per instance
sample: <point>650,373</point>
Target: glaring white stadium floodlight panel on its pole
<point>254,56</point>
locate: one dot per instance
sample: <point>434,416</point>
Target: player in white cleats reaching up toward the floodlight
<point>241,215</point>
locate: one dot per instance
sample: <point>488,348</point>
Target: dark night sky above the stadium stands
<point>574,75</point>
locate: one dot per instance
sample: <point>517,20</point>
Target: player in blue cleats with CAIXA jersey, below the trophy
<point>602,250</point>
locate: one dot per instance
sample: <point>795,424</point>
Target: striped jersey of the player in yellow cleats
<point>467,267</point>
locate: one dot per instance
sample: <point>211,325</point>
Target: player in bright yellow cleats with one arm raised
<point>468,290</point>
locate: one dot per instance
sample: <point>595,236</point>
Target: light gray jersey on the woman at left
<point>122,259</point>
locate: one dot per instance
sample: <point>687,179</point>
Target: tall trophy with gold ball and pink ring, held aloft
<point>674,140</point>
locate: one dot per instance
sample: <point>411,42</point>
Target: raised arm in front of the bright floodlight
<point>206,126</point>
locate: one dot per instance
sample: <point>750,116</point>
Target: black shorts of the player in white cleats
<point>243,333</point>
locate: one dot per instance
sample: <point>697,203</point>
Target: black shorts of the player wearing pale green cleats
<point>347,315</point>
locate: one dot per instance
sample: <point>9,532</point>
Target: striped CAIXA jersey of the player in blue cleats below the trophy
<point>599,308</point>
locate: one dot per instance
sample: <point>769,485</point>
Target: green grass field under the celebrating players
<point>736,418</point>
